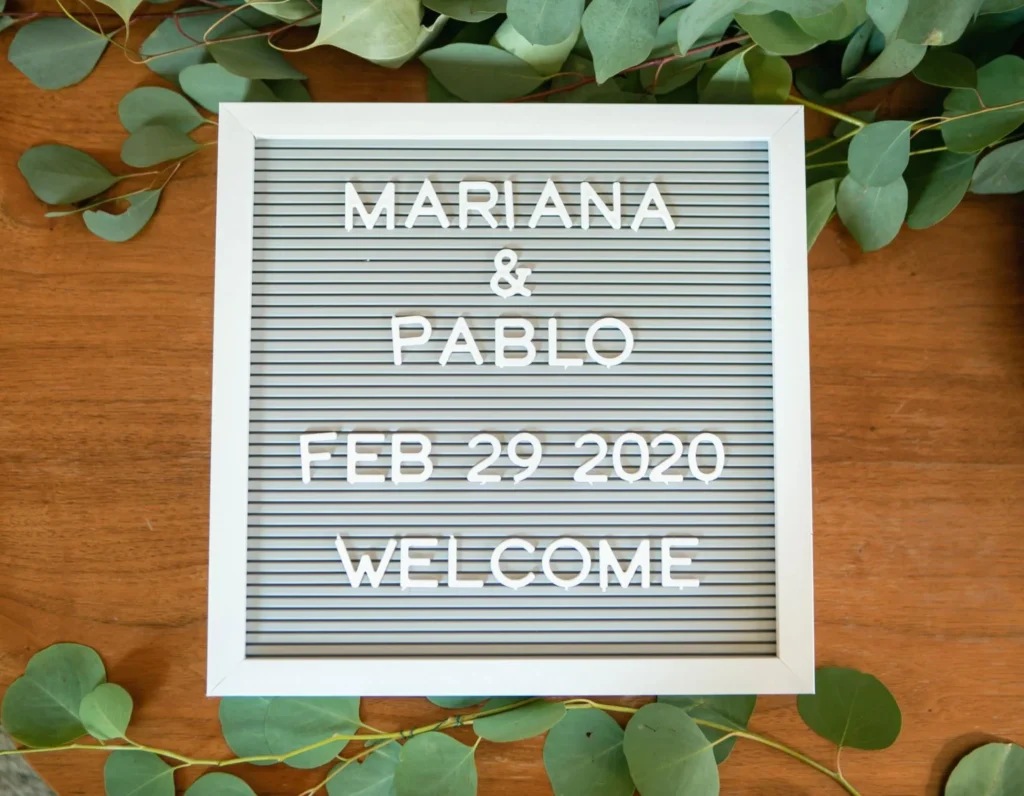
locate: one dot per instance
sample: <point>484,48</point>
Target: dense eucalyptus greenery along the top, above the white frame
<point>875,175</point>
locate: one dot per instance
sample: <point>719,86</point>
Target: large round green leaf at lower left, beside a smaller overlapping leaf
<point>41,707</point>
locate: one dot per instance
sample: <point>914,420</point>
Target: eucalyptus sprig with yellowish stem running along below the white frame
<point>668,747</point>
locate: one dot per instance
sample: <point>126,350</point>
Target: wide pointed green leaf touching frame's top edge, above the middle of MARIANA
<point>480,73</point>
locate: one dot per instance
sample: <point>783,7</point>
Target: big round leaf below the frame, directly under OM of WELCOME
<point>583,756</point>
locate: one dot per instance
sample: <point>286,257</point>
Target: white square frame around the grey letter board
<point>231,674</point>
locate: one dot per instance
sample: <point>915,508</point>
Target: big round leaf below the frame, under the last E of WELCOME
<point>668,755</point>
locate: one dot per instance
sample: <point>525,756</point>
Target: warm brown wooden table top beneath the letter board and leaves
<point>918,365</point>
